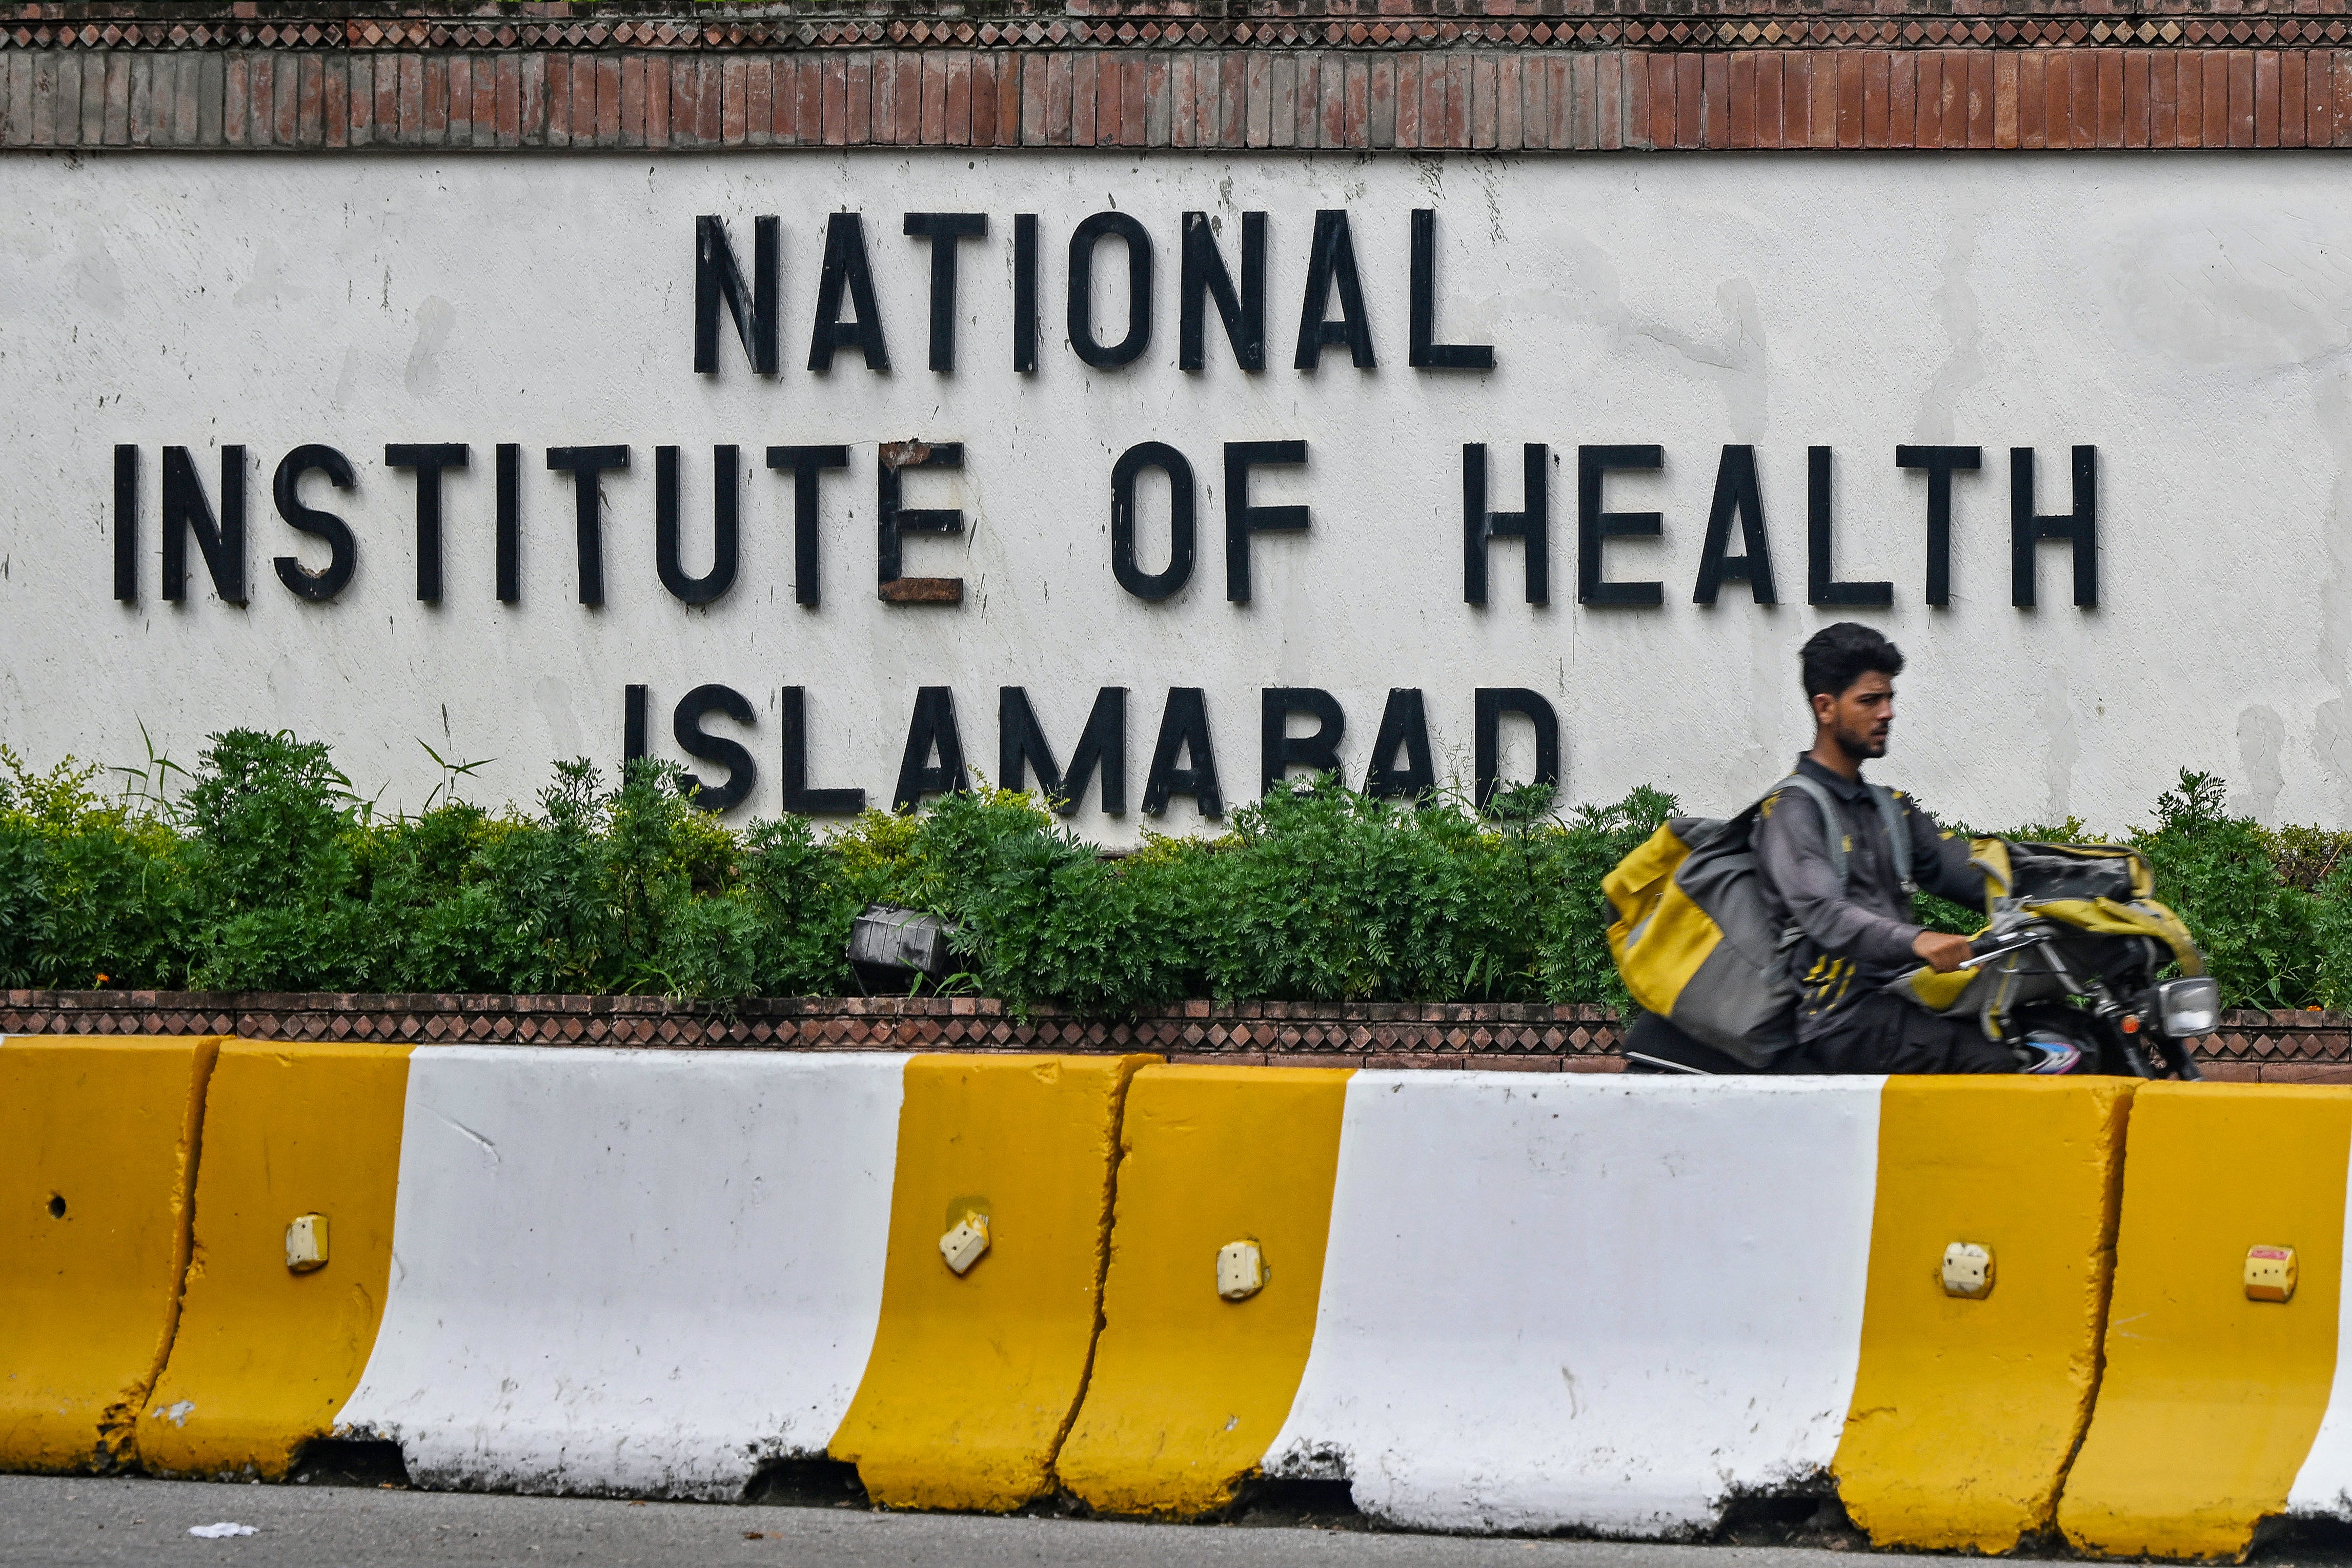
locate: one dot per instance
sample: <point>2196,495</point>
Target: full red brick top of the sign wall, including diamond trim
<point>1288,74</point>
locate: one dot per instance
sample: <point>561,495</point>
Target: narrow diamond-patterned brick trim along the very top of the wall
<point>1165,25</point>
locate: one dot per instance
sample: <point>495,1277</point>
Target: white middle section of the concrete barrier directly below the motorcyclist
<point>1586,1304</point>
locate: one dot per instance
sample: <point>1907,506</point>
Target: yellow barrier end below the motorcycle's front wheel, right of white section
<point>1965,1412</point>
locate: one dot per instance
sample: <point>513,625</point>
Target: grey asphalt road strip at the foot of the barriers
<point>79,1522</point>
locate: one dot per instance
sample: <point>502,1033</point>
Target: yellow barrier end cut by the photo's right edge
<point>2212,1402</point>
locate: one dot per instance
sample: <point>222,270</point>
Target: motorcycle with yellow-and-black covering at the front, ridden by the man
<point>2073,953</point>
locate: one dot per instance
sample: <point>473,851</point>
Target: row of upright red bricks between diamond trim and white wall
<point>1452,93</point>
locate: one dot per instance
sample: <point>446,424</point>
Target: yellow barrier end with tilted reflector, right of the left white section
<point>975,1376</point>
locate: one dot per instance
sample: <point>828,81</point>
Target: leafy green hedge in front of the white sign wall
<point>265,871</point>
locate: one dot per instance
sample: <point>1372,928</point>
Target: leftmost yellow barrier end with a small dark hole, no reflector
<point>98,1151</point>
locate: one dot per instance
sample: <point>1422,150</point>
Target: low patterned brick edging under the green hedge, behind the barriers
<point>2252,1045</point>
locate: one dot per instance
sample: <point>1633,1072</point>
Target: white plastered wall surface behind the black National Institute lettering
<point>2186,314</point>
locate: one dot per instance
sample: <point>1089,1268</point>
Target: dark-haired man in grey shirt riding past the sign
<point>1852,927</point>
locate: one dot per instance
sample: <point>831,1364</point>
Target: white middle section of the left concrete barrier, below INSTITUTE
<point>629,1271</point>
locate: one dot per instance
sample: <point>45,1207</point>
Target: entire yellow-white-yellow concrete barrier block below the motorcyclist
<point>1514,1304</point>
